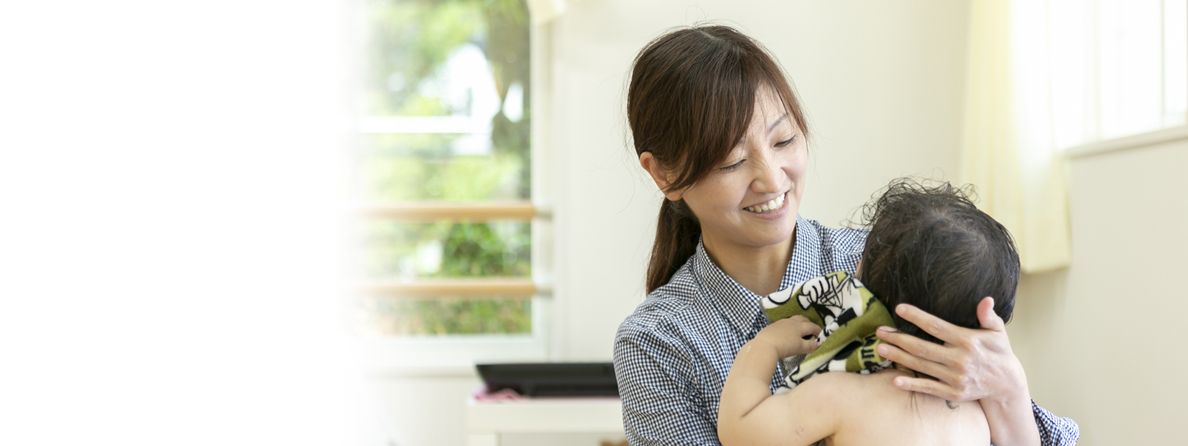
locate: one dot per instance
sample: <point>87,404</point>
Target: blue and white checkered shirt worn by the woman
<point>673,355</point>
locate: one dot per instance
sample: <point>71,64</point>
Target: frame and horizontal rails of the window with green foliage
<point>457,355</point>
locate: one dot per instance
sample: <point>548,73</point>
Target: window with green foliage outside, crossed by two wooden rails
<point>445,167</point>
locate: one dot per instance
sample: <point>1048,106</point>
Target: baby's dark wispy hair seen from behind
<point>932,248</point>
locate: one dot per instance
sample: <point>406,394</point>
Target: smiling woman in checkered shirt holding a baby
<point>722,134</point>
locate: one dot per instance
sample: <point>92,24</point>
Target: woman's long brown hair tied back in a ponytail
<point>691,100</point>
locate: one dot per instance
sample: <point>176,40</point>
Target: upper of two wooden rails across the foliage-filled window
<point>457,211</point>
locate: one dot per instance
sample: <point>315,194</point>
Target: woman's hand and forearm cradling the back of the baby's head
<point>974,365</point>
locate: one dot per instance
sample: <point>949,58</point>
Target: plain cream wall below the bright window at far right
<point>1101,340</point>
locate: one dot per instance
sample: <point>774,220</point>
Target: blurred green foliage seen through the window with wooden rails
<point>410,48</point>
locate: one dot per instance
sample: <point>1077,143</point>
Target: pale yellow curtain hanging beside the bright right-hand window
<point>1008,152</point>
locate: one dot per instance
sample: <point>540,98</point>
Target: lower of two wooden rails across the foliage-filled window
<point>507,287</point>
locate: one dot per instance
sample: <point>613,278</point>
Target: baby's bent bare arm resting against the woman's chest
<point>750,414</point>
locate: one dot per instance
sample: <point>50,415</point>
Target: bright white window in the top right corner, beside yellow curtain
<point>1115,68</point>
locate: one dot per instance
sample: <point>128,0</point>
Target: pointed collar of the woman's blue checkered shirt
<point>741,306</point>
